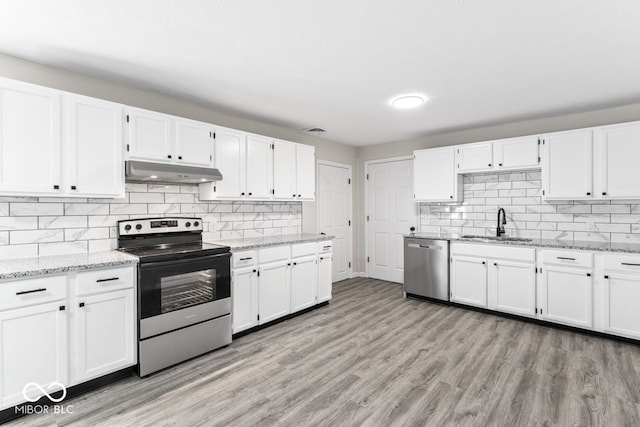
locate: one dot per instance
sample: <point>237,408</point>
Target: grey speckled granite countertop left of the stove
<point>38,266</point>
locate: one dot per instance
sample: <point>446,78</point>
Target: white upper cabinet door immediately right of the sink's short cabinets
<point>567,165</point>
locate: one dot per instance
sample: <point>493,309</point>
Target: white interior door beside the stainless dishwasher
<point>391,213</point>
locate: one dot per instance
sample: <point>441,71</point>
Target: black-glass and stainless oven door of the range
<point>174,294</point>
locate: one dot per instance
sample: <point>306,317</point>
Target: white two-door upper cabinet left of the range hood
<point>39,125</point>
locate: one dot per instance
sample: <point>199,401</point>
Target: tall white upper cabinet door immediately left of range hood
<point>94,147</point>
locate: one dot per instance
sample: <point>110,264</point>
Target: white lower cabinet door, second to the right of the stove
<point>274,291</point>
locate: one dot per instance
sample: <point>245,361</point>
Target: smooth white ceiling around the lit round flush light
<point>336,64</point>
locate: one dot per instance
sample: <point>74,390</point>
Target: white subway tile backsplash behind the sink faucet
<point>527,215</point>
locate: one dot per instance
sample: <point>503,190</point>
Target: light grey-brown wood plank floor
<point>374,358</point>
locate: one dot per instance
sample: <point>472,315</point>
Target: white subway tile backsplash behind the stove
<point>30,226</point>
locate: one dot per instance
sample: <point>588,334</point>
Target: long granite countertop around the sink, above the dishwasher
<point>541,243</point>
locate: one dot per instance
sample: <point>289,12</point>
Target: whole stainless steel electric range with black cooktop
<point>184,290</point>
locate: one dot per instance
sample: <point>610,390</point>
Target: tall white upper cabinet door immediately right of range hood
<point>228,156</point>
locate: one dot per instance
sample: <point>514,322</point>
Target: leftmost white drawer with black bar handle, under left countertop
<point>39,290</point>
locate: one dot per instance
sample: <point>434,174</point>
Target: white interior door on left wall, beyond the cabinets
<point>334,215</point>
